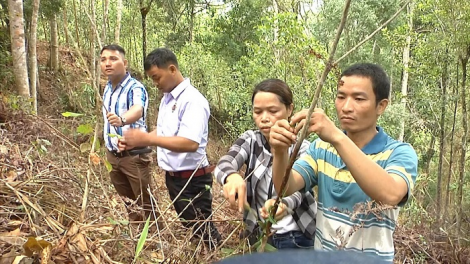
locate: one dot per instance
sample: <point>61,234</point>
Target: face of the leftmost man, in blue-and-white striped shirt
<point>113,63</point>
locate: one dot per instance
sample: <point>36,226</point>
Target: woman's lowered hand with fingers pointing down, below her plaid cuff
<point>235,186</point>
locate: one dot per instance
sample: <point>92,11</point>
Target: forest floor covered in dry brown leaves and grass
<point>49,214</point>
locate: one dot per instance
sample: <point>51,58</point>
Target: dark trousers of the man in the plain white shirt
<point>194,203</point>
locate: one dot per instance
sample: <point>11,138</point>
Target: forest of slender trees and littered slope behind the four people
<point>49,65</point>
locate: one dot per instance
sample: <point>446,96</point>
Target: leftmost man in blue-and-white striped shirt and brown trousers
<point>125,103</point>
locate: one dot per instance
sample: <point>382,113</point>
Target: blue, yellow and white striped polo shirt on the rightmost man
<point>344,220</point>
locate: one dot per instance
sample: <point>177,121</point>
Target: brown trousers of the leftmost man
<point>130,176</point>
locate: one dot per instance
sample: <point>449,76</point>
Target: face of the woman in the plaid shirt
<point>267,109</point>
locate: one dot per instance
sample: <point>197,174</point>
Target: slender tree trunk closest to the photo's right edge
<point>464,61</point>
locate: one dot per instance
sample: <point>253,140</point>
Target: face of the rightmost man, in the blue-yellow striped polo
<point>355,104</point>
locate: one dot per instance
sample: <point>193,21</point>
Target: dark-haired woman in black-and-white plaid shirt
<point>295,226</point>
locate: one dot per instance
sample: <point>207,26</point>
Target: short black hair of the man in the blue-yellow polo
<point>377,75</point>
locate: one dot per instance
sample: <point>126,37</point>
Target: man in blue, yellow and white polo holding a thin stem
<point>363,175</point>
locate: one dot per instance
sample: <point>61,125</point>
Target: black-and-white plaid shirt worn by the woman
<point>252,149</point>
